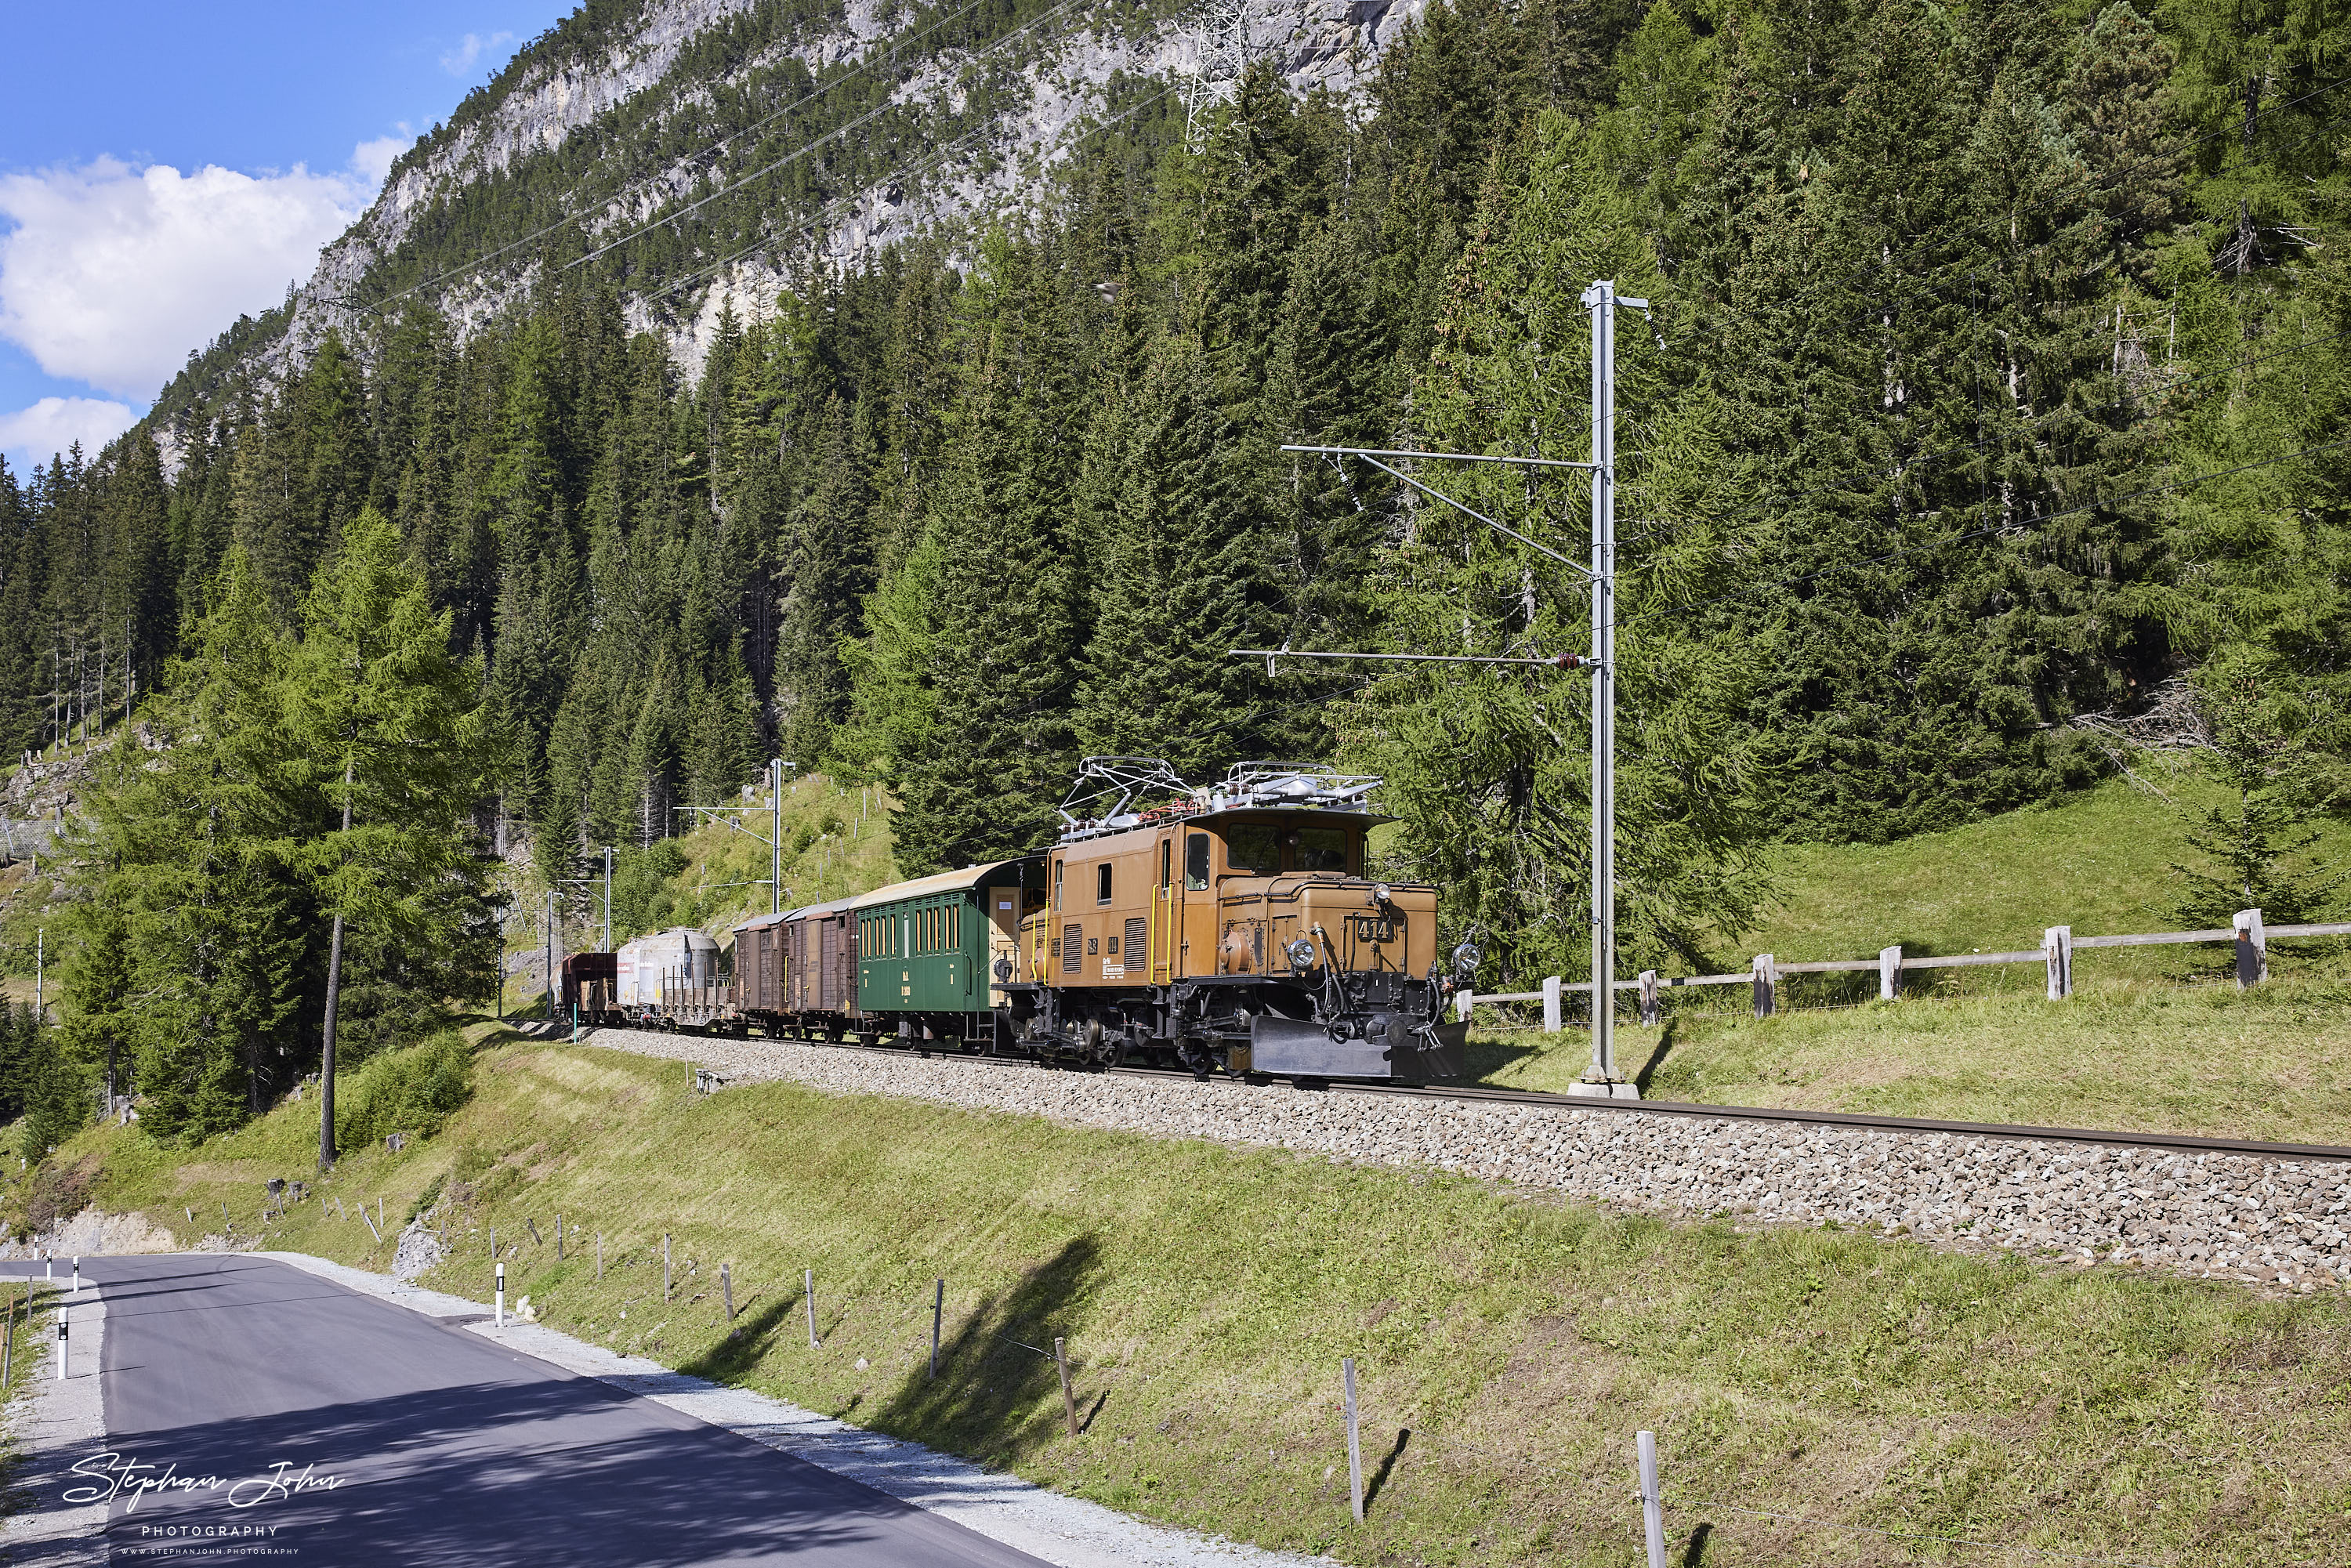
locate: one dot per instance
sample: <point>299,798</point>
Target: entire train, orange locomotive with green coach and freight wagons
<point>1221,930</point>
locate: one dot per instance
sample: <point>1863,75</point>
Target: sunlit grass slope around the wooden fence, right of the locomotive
<point>2155,1038</point>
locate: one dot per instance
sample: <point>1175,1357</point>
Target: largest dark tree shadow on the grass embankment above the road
<point>998,1395</point>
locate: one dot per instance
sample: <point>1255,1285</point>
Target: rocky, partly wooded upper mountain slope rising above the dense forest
<point>711,149</point>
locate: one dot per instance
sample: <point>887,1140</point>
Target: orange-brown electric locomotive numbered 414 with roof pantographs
<point>1233,930</point>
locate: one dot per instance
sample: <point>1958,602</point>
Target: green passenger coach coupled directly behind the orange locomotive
<point>927,953</point>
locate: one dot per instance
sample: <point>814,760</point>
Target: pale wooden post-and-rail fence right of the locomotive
<point>2056,956</point>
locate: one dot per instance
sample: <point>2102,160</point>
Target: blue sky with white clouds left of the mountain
<point>170,166</point>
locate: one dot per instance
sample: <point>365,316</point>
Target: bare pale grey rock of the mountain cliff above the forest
<point>1069,65</point>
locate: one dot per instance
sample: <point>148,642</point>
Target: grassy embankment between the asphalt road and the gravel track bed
<point>1511,1346</point>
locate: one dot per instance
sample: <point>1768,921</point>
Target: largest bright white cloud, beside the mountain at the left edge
<point>114,274</point>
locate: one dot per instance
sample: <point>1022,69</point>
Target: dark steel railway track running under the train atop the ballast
<point>1680,1108</point>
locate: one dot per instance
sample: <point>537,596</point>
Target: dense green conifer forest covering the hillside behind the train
<point>1995,389</point>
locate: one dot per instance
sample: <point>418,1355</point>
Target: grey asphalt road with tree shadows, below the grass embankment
<point>443,1447</point>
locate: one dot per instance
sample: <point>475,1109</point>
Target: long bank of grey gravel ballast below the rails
<point>2279,1224</point>
